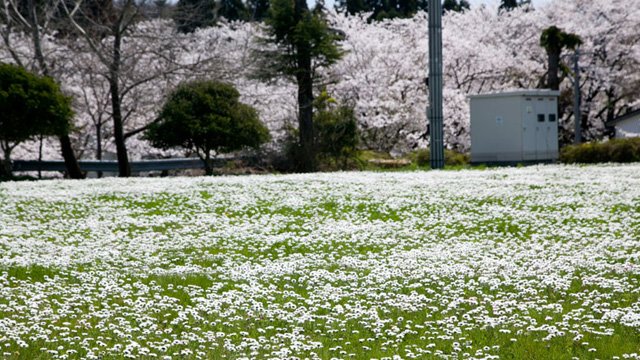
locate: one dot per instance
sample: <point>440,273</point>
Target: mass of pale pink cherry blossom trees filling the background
<point>383,71</point>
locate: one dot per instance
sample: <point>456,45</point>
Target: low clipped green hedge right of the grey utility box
<point>615,150</point>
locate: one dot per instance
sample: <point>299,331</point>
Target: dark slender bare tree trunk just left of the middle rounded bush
<point>124,170</point>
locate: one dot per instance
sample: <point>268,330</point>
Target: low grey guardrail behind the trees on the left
<point>112,165</point>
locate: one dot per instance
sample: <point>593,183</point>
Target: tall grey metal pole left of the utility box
<point>435,85</point>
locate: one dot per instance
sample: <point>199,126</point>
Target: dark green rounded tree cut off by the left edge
<point>31,106</point>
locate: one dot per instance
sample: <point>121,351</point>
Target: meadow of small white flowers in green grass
<point>538,262</point>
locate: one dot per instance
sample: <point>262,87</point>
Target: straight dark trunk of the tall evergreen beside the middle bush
<point>307,161</point>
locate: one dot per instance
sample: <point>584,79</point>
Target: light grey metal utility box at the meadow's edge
<point>517,126</point>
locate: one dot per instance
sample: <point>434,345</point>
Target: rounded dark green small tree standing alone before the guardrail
<point>206,117</point>
